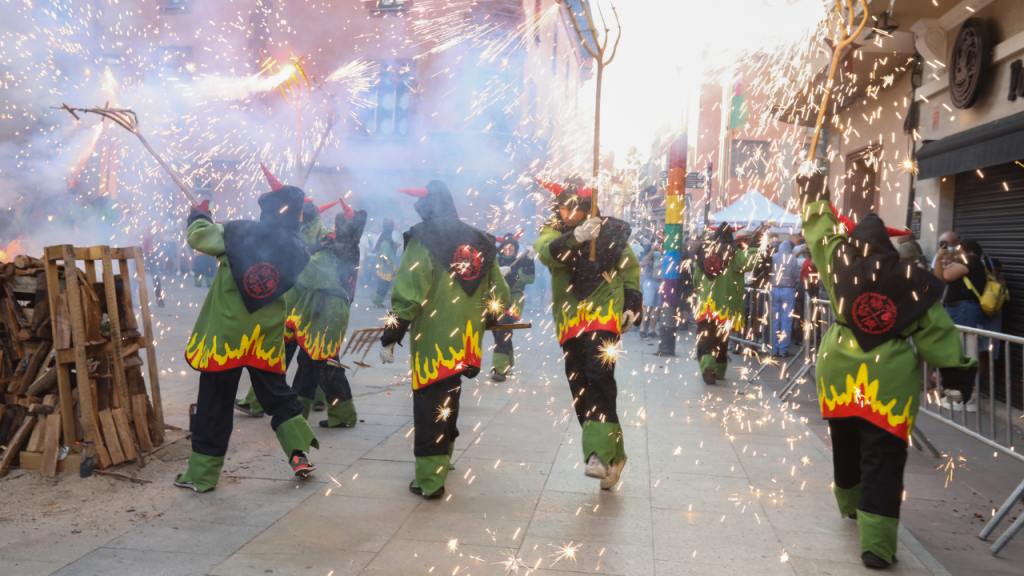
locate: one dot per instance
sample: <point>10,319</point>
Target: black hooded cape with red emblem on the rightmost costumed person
<point>880,296</point>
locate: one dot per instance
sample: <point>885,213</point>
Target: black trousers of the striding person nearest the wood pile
<point>216,406</point>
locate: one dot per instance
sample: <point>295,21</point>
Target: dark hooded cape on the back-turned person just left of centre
<point>465,252</point>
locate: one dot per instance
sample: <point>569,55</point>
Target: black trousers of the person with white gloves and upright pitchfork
<point>592,379</point>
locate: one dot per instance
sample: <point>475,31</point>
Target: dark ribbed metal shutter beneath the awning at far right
<point>987,212</point>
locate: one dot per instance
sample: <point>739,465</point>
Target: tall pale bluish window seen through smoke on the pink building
<point>393,115</point>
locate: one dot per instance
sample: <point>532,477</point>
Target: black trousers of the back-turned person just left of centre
<point>436,416</point>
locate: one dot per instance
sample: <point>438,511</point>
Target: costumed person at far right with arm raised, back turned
<point>868,374</point>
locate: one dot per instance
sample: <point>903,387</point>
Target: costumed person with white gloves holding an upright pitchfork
<point>594,303</point>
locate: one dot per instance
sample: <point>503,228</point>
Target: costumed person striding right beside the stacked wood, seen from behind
<point>242,326</point>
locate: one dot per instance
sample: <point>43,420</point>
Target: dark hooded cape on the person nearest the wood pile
<point>268,257</point>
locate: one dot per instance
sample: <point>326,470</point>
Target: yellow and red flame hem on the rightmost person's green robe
<point>861,399</point>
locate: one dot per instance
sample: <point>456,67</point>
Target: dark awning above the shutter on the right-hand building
<point>997,143</point>
